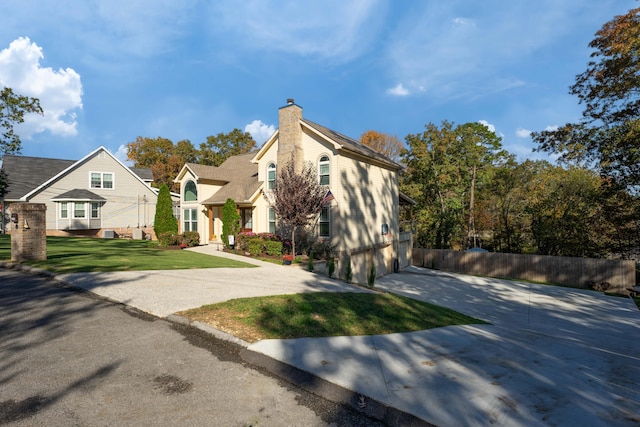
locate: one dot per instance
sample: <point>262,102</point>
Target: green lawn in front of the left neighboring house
<point>82,254</point>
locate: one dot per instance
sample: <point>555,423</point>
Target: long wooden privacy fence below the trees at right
<point>568,271</point>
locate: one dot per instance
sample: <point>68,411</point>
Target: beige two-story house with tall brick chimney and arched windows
<point>361,222</point>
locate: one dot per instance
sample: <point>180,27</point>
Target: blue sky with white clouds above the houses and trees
<point>109,71</point>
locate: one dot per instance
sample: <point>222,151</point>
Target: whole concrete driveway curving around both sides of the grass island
<point>551,355</point>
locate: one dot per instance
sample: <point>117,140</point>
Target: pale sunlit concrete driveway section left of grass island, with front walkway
<point>164,292</point>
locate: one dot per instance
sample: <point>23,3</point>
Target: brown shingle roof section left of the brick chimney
<point>242,180</point>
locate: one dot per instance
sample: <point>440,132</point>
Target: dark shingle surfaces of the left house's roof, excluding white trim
<point>26,173</point>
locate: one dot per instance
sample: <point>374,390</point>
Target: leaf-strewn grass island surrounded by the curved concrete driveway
<point>324,314</point>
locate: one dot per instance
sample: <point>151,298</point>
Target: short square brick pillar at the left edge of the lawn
<point>29,233</point>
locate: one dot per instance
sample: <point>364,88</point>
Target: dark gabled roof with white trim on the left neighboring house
<point>27,175</point>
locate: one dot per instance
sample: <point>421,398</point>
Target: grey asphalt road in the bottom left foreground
<point>69,358</point>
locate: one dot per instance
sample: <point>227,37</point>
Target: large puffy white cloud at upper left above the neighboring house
<point>59,92</point>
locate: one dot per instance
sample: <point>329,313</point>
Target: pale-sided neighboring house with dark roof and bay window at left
<point>86,197</point>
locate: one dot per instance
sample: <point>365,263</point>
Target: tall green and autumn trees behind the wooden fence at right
<point>470,192</point>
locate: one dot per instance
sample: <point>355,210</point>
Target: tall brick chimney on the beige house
<point>290,135</point>
